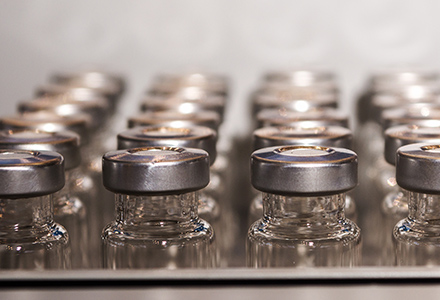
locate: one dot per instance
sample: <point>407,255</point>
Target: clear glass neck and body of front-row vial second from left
<point>158,232</point>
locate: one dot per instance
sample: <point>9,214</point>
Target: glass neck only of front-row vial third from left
<point>288,210</point>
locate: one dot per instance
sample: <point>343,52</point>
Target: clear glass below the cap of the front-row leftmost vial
<point>30,239</point>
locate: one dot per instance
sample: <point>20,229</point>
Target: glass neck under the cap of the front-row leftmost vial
<point>25,213</point>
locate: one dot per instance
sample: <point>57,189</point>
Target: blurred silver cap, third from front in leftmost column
<point>49,122</point>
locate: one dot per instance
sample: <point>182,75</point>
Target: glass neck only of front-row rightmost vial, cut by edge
<point>424,208</point>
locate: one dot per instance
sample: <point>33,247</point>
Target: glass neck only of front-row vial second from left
<point>151,210</point>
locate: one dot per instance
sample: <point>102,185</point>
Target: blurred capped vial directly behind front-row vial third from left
<point>297,135</point>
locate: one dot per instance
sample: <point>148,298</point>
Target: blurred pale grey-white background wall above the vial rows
<point>239,38</point>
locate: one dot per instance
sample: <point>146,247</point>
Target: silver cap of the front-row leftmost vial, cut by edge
<point>30,173</point>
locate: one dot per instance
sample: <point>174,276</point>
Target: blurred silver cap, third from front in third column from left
<point>277,117</point>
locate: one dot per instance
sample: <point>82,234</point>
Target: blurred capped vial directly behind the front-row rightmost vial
<point>394,206</point>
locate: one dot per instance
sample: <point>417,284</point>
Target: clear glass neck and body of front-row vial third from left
<point>303,232</point>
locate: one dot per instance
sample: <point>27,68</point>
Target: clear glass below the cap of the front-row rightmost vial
<point>417,237</point>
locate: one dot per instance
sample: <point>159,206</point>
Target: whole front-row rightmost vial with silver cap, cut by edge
<point>416,238</point>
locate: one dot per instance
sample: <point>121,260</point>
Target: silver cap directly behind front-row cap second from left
<point>188,137</point>
